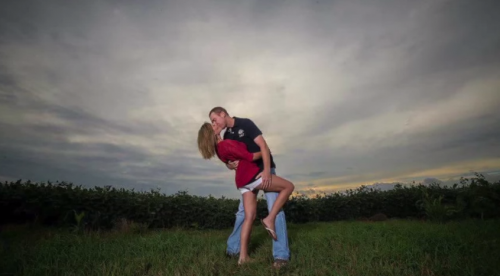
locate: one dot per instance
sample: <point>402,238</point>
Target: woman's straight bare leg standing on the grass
<point>250,206</point>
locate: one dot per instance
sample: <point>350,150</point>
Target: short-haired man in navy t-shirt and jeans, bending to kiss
<point>244,130</point>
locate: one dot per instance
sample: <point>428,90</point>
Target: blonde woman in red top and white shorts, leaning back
<point>248,180</point>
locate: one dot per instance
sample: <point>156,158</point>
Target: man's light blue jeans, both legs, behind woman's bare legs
<point>280,247</point>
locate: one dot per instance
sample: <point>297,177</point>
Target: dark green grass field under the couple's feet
<point>342,248</point>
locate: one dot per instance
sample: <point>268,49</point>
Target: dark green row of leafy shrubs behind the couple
<point>64,204</point>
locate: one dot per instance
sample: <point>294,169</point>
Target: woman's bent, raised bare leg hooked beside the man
<point>285,189</point>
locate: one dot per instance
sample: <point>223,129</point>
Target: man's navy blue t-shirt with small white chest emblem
<point>245,130</point>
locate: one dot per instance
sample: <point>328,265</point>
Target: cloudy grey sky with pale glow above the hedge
<point>346,92</point>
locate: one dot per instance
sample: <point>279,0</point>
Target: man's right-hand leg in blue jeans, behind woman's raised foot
<point>280,247</point>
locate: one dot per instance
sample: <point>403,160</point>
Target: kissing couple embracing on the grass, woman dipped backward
<point>244,150</point>
